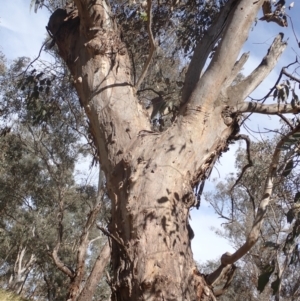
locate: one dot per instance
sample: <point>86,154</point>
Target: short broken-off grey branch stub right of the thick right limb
<point>250,83</point>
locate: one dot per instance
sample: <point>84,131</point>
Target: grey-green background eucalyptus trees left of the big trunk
<point>48,218</point>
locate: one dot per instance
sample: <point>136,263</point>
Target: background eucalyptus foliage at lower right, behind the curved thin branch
<point>272,265</point>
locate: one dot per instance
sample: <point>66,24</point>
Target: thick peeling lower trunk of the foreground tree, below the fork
<point>152,258</point>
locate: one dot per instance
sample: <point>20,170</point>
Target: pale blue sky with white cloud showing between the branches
<point>22,33</point>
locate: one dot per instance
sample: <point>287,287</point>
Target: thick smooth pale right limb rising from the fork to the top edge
<point>238,23</point>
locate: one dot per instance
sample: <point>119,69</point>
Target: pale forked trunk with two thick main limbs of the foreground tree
<point>150,177</point>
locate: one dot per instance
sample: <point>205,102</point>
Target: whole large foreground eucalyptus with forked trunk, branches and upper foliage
<point>117,51</point>
